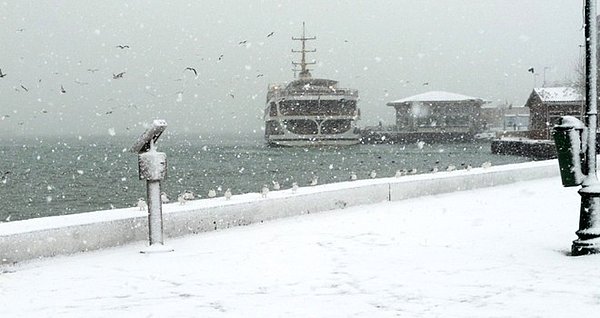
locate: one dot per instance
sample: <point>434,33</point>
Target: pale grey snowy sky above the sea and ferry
<point>385,49</point>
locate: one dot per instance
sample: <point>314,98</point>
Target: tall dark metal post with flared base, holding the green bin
<point>589,215</point>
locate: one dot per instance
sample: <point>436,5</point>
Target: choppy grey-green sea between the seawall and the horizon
<point>47,176</point>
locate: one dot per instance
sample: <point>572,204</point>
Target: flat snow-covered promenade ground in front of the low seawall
<point>492,252</point>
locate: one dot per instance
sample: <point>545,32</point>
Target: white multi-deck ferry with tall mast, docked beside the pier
<point>311,111</point>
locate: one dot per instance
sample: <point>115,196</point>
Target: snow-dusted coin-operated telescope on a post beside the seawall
<point>152,168</point>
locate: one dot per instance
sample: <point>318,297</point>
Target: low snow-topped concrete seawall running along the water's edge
<point>59,235</point>
